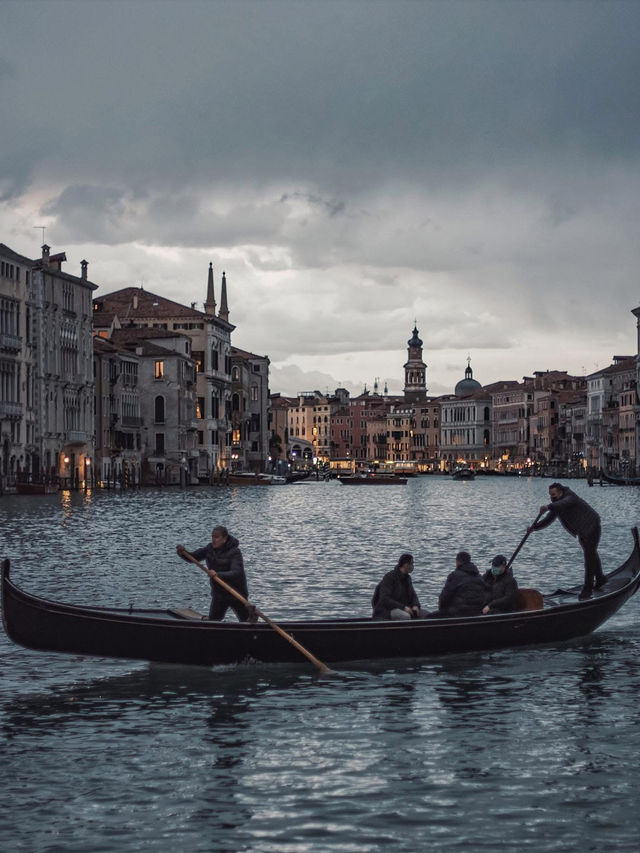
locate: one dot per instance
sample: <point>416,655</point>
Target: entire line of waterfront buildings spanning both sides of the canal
<point>134,388</point>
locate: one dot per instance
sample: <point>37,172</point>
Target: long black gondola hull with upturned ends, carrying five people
<point>184,637</point>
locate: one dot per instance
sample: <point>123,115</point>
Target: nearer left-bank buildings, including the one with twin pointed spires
<point>125,388</point>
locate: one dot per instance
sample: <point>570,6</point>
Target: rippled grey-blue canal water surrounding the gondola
<point>522,749</point>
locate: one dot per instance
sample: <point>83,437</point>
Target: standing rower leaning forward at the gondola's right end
<point>582,521</point>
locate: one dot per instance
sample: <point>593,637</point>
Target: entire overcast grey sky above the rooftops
<point>354,165</point>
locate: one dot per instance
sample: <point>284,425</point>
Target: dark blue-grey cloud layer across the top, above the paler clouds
<point>344,94</point>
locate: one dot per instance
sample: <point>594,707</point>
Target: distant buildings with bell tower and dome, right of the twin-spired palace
<point>549,422</point>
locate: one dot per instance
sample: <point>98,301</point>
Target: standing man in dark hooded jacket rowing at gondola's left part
<point>224,559</point>
